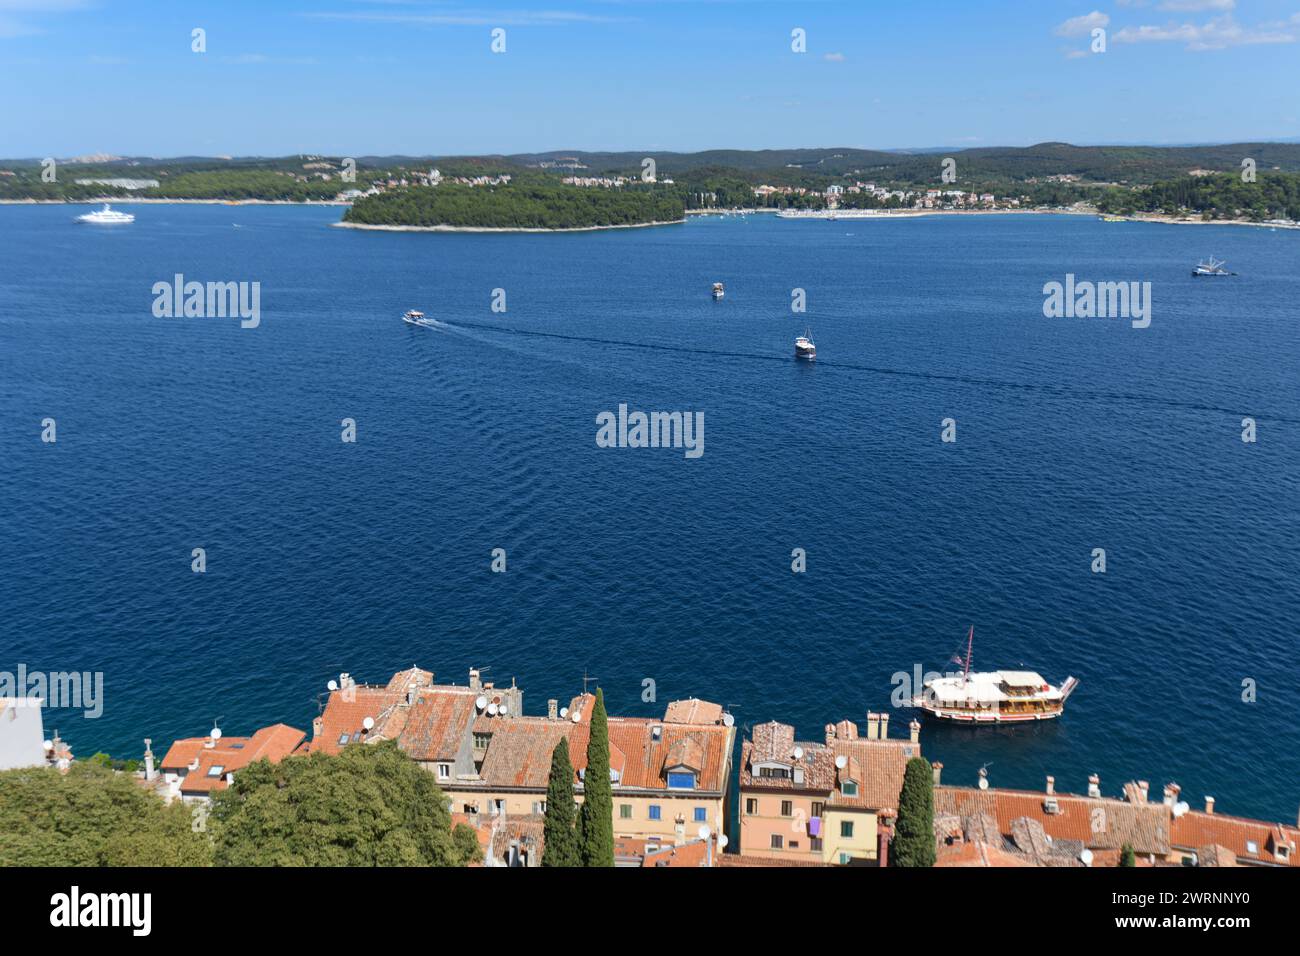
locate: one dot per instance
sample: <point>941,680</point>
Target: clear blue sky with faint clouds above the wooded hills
<point>376,77</point>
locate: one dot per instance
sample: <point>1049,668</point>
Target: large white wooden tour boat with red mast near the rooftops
<point>993,697</point>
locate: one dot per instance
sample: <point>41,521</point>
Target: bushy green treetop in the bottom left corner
<point>93,817</point>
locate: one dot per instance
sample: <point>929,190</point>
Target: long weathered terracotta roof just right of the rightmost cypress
<point>1094,821</point>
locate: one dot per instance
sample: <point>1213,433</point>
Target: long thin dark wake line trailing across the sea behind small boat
<point>1065,392</point>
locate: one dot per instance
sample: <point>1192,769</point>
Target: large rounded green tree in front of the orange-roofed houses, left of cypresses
<point>370,806</point>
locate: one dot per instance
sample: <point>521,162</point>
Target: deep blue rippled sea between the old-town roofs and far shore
<point>639,564</point>
